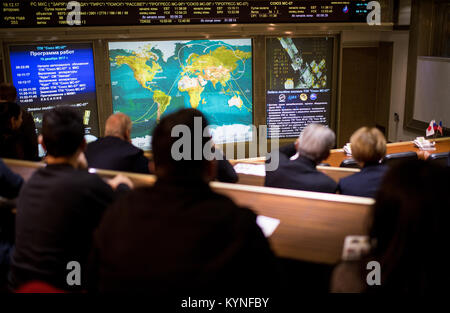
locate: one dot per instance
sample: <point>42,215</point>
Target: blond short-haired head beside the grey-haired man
<point>368,145</point>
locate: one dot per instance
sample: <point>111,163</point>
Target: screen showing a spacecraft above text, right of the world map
<point>298,84</point>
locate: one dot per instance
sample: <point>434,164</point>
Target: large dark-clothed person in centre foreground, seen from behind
<point>179,236</point>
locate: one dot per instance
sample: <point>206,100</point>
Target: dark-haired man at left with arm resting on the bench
<point>59,206</point>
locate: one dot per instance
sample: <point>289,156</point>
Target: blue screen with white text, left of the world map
<point>48,75</point>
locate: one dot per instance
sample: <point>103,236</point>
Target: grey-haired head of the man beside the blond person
<point>315,142</point>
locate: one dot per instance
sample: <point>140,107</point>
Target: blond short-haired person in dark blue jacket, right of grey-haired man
<point>368,148</point>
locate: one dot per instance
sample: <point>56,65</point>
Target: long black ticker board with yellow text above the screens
<point>30,13</point>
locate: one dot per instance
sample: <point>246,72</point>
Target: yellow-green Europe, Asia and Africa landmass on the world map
<point>216,66</point>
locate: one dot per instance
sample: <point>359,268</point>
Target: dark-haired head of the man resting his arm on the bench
<point>62,132</point>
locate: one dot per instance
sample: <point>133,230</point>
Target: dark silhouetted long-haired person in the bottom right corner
<point>408,232</point>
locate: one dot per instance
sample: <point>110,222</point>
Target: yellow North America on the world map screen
<point>143,73</point>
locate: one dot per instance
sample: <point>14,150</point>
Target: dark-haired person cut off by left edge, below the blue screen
<point>10,122</point>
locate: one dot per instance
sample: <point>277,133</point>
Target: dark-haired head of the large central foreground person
<point>178,149</point>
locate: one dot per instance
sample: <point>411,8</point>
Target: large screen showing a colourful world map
<point>153,78</point>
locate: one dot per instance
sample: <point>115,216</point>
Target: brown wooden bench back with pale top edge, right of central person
<point>313,225</point>
